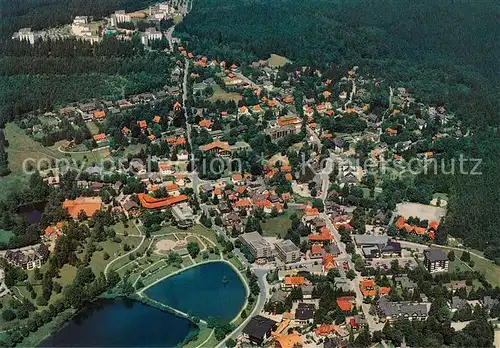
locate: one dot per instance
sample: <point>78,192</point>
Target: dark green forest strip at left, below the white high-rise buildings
<point>51,74</point>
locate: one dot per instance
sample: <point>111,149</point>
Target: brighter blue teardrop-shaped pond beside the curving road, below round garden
<point>200,291</point>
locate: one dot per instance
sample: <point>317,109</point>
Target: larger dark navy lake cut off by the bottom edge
<point>121,323</point>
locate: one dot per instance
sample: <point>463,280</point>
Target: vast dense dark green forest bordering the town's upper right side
<point>444,52</point>
